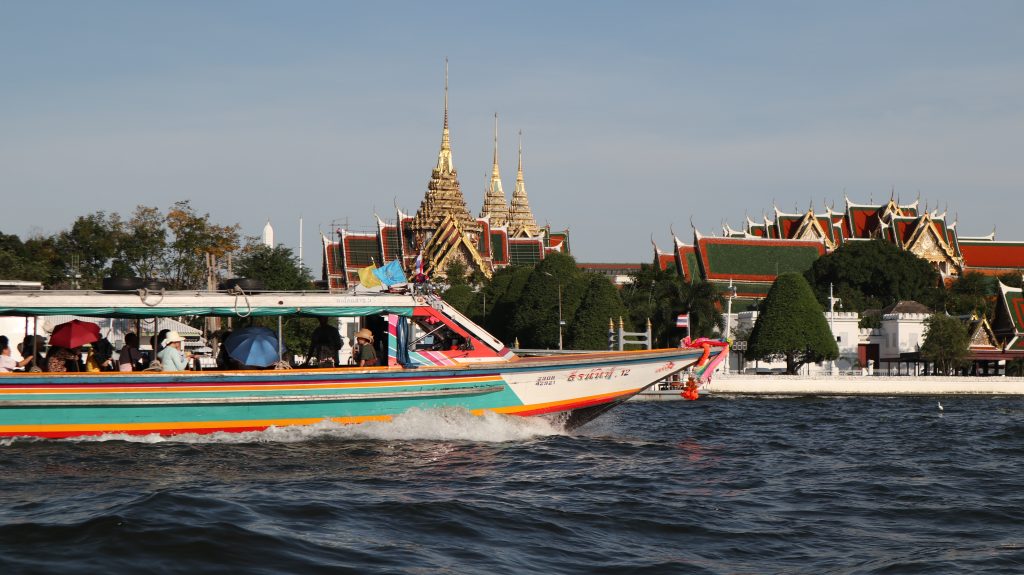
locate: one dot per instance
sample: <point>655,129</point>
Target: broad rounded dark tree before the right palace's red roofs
<point>874,275</point>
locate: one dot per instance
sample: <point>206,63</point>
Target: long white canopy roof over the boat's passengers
<point>214,304</point>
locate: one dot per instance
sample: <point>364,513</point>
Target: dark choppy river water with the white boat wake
<point>747,485</point>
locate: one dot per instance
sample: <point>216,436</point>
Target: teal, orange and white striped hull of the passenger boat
<point>575,389</point>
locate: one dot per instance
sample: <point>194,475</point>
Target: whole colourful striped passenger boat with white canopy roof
<point>479,374</point>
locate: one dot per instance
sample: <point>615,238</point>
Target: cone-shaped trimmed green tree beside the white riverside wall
<point>792,327</point>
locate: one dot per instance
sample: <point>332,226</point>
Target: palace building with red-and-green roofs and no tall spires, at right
<point>752,258</point>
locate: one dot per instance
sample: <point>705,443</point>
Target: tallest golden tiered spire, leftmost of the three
<point>444,193</point>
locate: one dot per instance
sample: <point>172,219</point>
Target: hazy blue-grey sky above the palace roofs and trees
<point>638,119</point>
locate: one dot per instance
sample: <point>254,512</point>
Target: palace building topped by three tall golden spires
<point>443,231</point>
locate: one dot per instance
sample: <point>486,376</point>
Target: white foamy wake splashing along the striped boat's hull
<point>430,425</point>
